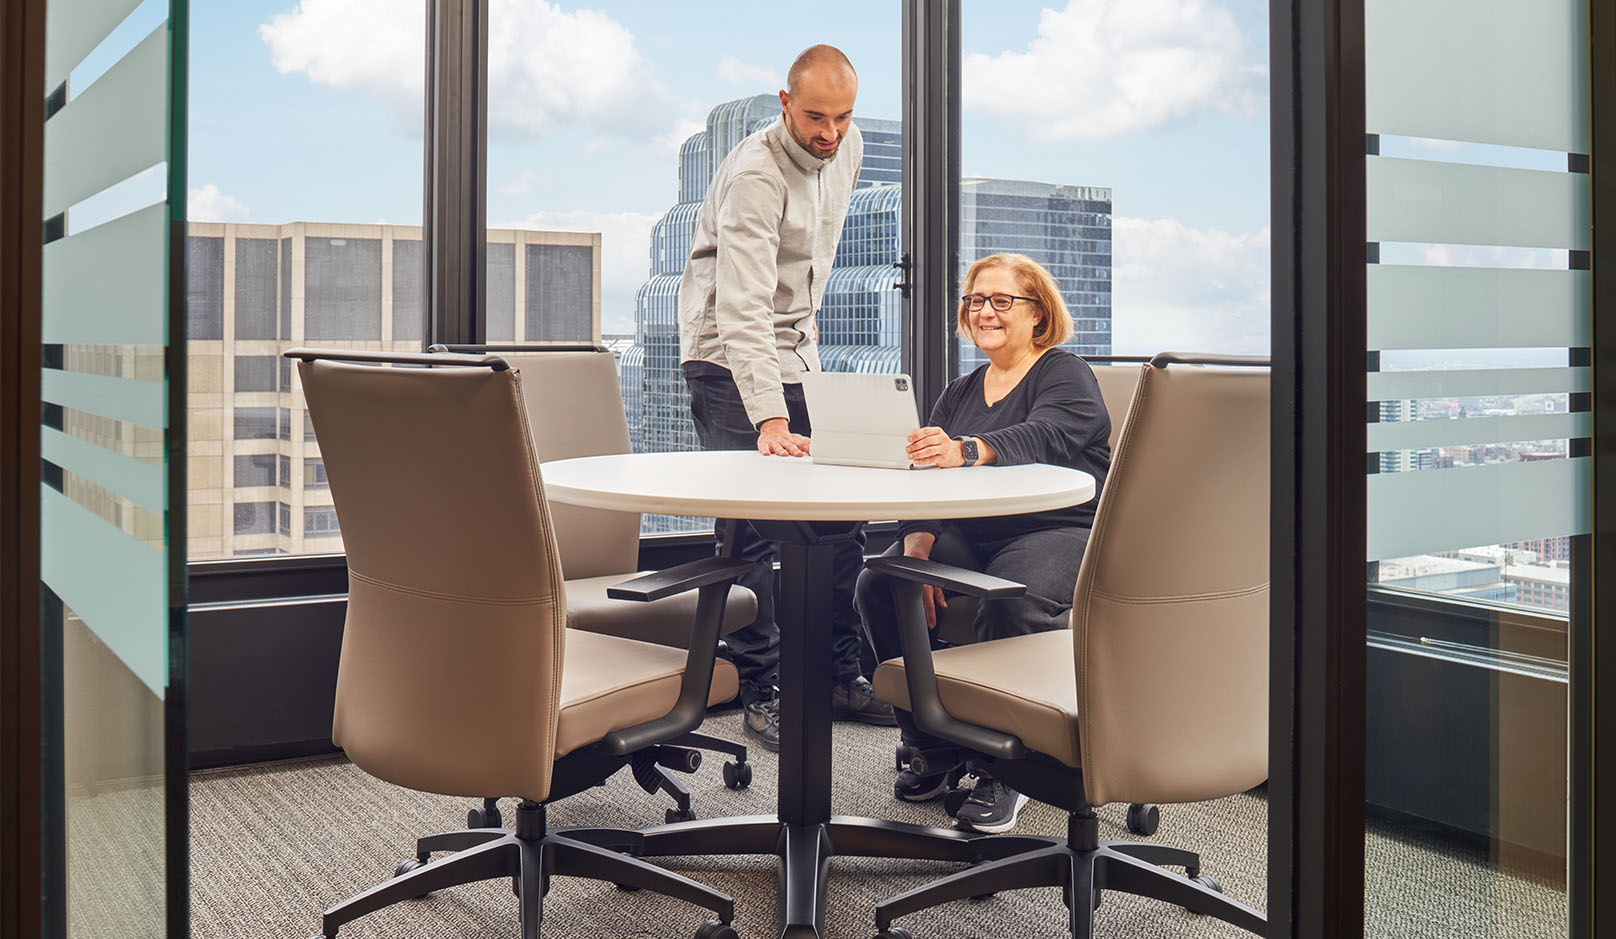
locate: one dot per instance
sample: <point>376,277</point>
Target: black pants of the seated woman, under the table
<point>1046,562</point>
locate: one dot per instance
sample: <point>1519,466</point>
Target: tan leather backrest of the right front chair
<point>1171,617</point>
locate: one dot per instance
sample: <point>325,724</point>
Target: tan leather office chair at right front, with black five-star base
<point>1159,689</point>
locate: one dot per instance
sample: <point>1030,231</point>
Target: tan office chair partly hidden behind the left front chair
<point>574,408</point>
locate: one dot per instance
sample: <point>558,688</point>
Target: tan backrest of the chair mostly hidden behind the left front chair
<point>574,408</point>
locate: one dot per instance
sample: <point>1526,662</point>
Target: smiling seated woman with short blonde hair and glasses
<point>1030,403</point>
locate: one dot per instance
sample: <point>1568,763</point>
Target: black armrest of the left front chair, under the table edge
<point>712,576</point>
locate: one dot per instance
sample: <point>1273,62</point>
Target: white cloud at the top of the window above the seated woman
<point>1101,69</point>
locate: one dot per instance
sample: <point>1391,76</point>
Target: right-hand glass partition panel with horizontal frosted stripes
<point>1479,465</point>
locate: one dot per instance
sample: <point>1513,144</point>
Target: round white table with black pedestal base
<point>809,508</point>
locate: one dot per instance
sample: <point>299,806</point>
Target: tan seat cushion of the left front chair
<point>610,683</point>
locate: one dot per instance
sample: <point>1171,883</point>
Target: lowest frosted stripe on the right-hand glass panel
<point>1420,513</point>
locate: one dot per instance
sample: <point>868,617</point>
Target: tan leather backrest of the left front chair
<point>452,655</point>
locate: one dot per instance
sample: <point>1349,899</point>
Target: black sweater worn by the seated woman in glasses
<point>1053,416</point>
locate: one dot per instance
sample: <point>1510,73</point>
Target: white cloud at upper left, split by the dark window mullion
<point>547,70</point>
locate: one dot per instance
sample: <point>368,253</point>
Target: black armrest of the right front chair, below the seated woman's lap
<point>909,575</point>
